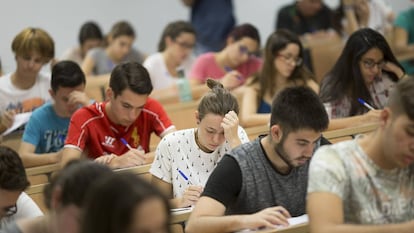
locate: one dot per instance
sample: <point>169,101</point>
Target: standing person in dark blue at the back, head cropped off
<point>213,20</point>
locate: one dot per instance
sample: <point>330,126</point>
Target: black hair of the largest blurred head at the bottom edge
<point>111,203</point>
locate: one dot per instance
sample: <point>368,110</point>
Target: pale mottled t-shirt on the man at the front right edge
<point>370,195</point>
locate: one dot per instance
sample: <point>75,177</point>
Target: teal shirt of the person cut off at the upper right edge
<point>405,20</point>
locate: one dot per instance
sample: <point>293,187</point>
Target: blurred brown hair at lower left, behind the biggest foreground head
<point>74,180</point>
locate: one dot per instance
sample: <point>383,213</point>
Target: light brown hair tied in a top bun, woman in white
<point>218,101</point>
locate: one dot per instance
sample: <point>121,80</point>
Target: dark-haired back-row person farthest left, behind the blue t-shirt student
<point>90,36</point>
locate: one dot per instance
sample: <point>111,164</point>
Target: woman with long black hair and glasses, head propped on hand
<point>366,69</point>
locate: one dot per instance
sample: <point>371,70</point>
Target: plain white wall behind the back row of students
<point>62,19</point>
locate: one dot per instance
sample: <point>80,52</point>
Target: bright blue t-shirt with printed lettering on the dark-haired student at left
<point>46,130</point>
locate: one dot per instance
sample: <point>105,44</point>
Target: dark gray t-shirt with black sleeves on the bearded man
<point>246,182</point>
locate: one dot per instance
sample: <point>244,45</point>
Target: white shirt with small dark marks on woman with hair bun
<point>179,151</point>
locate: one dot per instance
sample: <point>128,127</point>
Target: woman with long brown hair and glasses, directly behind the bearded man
<point>282,67</point>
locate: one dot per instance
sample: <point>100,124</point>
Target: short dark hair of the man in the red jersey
<point>130,75</point>
